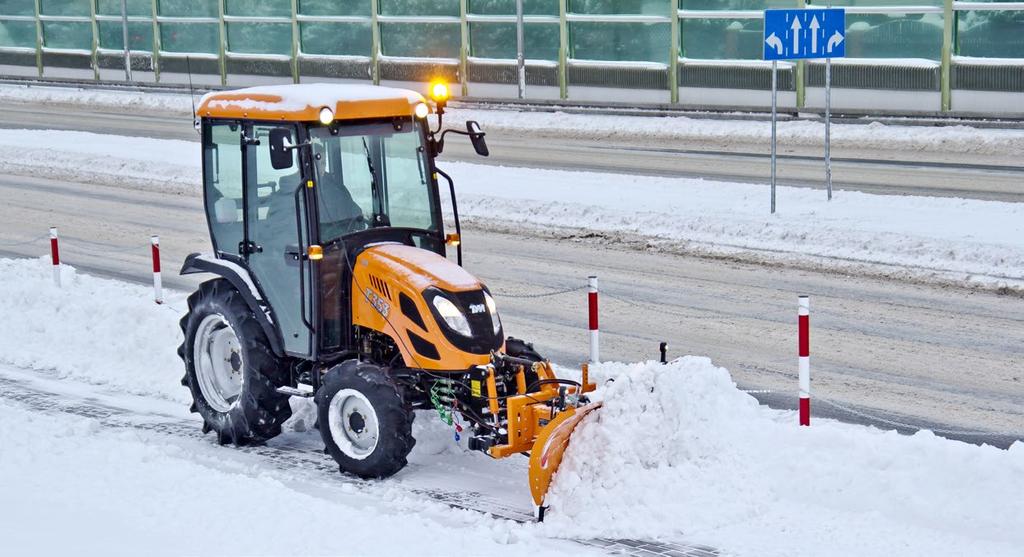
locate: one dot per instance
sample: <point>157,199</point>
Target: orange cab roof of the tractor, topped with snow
<point>304,103</point>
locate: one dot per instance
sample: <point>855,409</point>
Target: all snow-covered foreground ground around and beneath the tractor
<point>677,454</point>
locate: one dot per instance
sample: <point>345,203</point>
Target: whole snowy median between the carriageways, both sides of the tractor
<point>977,242</point>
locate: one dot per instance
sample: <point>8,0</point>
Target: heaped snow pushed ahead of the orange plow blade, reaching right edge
<point>678,450</point>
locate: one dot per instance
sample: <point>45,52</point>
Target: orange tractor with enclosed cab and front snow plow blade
<point>333,283</point>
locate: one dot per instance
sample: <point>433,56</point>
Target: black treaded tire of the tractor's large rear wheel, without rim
<point>259,412</point>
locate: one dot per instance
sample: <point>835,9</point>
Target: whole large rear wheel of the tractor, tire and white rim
<point>230,368</point>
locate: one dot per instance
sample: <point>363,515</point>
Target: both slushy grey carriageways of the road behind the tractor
<point>926,356</point>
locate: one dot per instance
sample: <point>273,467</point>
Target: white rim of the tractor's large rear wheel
<point>220,364</point>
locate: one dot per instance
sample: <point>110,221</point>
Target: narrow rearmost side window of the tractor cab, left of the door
<point>223,173</point>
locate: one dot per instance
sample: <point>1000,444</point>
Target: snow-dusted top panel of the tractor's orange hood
<point>418,269</point>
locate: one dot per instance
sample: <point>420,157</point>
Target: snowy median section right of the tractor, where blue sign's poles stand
<point>964,240</point>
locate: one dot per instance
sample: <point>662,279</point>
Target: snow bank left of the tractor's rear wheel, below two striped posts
<point>93,330</point>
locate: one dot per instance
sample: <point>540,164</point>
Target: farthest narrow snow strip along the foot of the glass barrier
<point>959,140</point>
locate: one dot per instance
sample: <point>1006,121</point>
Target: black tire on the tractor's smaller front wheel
<point>394,415</point>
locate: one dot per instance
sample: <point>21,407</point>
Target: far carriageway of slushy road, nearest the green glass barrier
<point>922,174</point>
